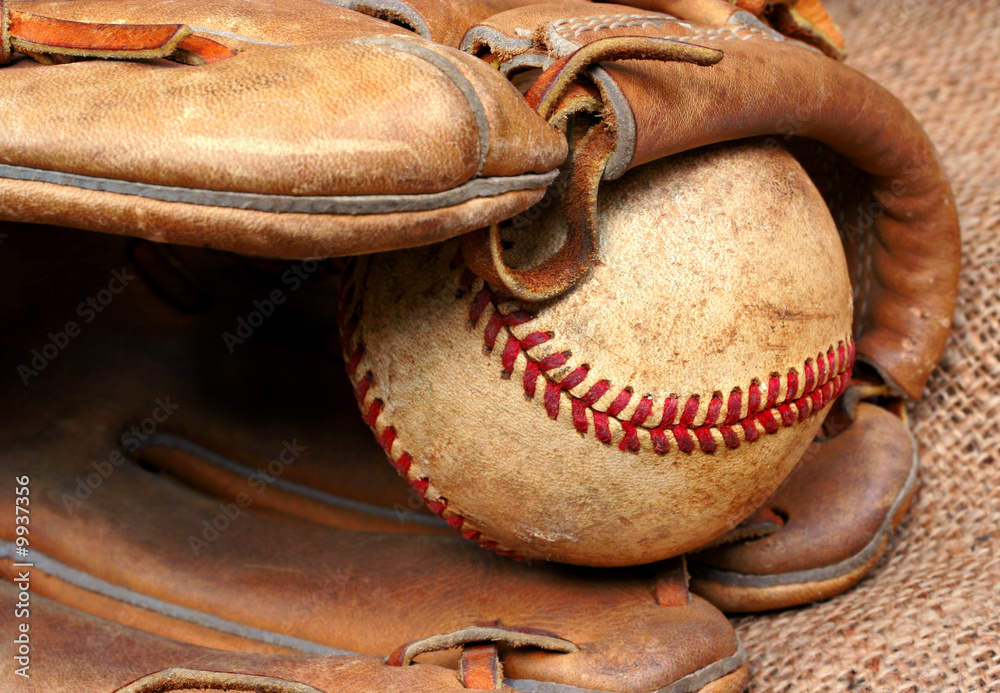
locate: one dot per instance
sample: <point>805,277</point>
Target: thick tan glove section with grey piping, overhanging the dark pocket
<point>328,133</point>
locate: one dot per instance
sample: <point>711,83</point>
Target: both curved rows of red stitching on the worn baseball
<point>823,380</point>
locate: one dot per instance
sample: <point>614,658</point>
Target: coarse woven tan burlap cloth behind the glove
<point>928,619</point>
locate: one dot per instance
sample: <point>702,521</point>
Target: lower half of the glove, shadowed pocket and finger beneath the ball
<point>181,484</point>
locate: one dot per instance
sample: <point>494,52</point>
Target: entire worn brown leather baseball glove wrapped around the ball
<point>163,154</point>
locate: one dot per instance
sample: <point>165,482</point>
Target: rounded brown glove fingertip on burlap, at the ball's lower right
<point>839,507</point>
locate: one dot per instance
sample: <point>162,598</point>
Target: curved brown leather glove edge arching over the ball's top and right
<point>768,84</point>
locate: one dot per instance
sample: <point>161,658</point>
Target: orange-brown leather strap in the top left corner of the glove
<point>44,38</point>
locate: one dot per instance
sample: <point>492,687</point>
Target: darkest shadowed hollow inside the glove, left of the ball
<point>240,391</point>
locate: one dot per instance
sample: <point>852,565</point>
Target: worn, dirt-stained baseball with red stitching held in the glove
<point>645,412</point>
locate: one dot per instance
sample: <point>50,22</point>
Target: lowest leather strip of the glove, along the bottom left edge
<point>79,653</point>
